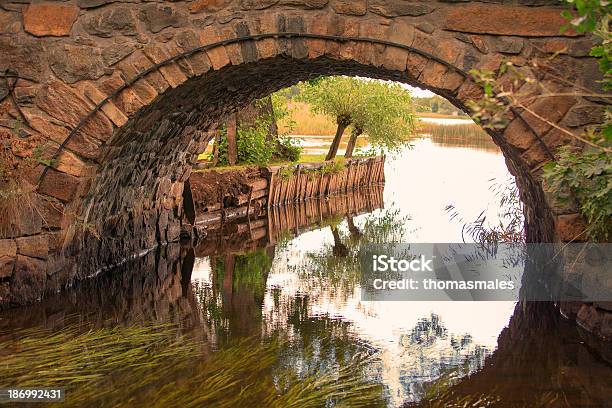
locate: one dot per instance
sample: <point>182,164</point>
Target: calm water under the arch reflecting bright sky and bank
<point>270,314</point>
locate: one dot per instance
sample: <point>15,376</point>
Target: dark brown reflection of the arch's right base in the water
<point>540,357</point>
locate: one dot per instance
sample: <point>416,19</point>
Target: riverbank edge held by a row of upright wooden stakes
<point>214,197</point>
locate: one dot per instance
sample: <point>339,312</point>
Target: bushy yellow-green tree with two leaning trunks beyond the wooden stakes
<point>381,110</point>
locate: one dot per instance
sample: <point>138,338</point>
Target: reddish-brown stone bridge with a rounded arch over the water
<point>106,104</point>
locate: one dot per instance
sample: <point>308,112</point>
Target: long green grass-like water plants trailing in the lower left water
<point>157,365</point>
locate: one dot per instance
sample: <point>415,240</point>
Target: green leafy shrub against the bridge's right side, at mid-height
<point>588,177</point>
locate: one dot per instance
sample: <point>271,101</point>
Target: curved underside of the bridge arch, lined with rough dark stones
<point>153,153</point>
